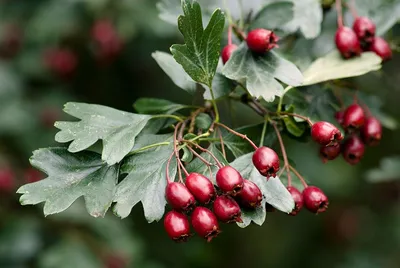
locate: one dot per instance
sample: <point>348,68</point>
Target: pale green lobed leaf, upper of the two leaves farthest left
<point>116,128</point>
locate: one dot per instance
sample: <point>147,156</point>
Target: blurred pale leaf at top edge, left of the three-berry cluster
<point>307,18</point>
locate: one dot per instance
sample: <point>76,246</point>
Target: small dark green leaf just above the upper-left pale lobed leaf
<point>157,106</point>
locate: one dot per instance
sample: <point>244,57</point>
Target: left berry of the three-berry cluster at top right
<point>347,42</point>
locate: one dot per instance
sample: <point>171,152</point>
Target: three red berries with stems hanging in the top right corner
<point>352,41</point>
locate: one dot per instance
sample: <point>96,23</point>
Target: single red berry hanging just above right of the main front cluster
<point>266,161</point>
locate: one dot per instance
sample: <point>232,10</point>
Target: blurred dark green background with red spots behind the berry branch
<point>51,52</point>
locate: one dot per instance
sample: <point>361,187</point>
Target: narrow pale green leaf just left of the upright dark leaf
<point>175,71</point>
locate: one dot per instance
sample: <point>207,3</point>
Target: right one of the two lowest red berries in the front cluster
<point>205,223</point>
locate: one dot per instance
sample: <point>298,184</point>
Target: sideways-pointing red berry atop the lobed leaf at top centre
<point>261,40</point>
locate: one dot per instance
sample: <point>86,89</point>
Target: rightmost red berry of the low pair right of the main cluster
<point>315,200</point>
